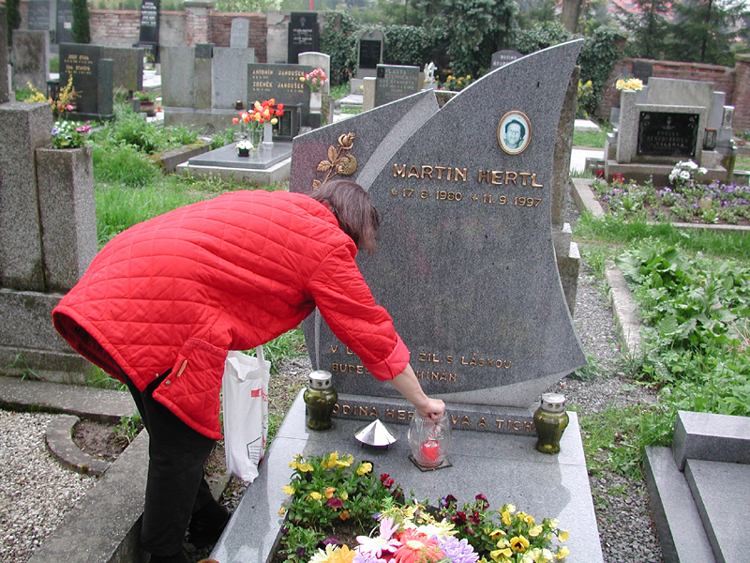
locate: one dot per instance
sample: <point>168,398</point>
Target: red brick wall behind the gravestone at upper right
<point>725,79</point>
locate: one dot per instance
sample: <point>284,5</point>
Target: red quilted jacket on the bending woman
<point>180,290</point>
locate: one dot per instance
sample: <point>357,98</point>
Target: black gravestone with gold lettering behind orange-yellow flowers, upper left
<point>93,77</point>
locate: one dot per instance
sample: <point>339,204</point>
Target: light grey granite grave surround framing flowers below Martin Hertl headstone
<point>506,469</point>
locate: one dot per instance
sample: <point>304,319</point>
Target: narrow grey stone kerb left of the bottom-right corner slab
<point>682,536</point>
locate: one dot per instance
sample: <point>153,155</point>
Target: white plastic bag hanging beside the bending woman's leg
<point>245,412</point>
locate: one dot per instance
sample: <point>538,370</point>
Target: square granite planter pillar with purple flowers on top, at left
<point>65,184</point>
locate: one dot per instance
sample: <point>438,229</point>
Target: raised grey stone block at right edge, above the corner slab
<point>711,437</point>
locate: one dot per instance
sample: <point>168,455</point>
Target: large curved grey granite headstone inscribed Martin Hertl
<point>466,264</point>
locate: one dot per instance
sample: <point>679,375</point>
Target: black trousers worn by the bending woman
<point>175,488</point>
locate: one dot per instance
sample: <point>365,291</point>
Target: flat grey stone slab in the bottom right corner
<point>722,495</point>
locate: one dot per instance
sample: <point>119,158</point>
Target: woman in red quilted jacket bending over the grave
<point>164,301</point>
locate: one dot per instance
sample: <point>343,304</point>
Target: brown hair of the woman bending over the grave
<point>352,207</point>
